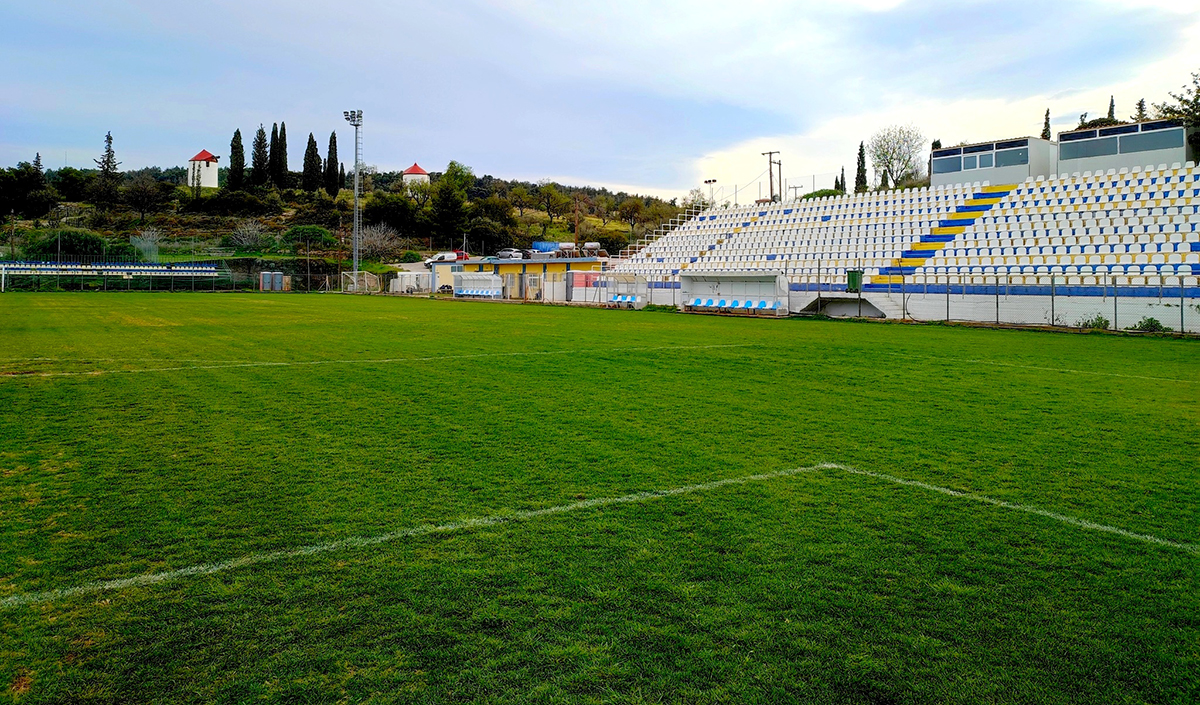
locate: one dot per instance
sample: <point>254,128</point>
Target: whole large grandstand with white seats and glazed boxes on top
<point>1127,228</point>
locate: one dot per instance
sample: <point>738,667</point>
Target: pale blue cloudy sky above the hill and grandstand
<point>649,98</point>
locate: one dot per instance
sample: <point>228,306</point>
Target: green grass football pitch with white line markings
<point>199,439</point>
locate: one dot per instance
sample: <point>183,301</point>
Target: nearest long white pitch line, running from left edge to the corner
<point>365,541</point>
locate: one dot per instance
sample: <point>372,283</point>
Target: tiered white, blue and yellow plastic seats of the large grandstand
<point>1138,224</point>
